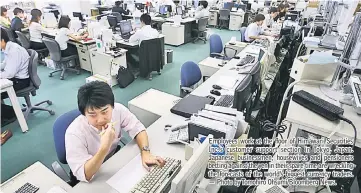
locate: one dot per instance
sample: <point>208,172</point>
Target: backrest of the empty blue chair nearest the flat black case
<point>190,74</point>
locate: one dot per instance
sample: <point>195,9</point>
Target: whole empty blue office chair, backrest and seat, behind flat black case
<point>190,76</point>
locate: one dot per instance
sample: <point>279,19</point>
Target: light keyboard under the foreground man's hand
<point>159,178</point>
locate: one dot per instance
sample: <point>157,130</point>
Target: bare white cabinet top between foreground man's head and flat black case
<point>151,105</point>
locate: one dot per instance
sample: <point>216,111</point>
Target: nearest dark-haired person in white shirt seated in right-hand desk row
<point>254,30</point>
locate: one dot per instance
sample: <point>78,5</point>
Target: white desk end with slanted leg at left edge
<point>7,86</point>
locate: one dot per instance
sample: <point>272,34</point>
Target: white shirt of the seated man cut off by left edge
<point>16,62</point>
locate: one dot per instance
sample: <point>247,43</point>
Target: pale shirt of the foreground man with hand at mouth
<point>82,141</point>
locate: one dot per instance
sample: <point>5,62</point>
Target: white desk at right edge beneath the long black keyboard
<point>300,118</point>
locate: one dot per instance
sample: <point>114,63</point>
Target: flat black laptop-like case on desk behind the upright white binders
<point>189,105</point>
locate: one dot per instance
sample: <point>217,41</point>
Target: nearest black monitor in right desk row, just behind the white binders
<point>242,94</point>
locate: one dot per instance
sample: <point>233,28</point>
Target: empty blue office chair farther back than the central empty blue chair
<point>216,48</point>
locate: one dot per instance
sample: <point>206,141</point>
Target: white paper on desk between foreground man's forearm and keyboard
<point>127,177</point>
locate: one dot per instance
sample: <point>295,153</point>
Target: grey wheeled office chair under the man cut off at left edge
<point>34,85</point>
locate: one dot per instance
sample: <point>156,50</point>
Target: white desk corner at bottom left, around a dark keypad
<point>38,175</point>
